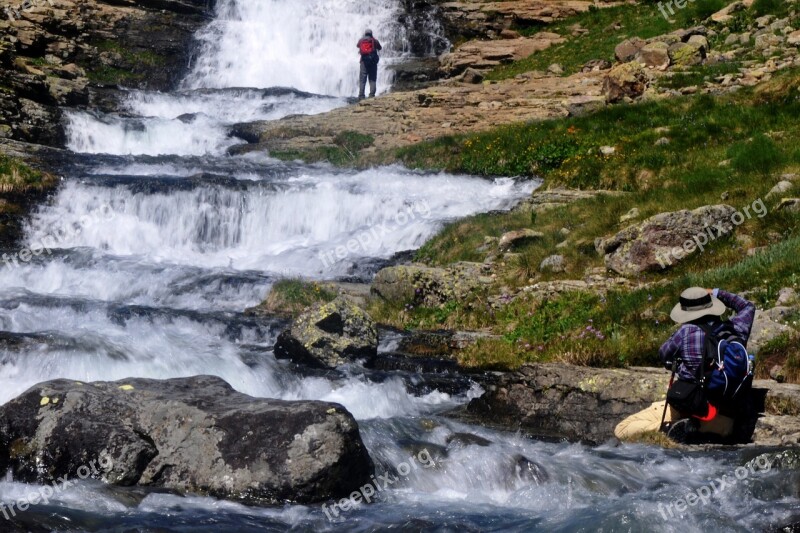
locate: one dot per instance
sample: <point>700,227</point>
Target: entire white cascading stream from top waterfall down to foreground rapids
<point>157,240</point>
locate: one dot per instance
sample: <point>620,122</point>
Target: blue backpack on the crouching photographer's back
<point>728,366</point>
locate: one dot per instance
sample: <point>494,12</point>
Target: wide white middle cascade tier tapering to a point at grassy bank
<point>313,225</point>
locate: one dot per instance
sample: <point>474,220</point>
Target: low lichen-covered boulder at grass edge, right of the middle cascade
<point>429,286</point>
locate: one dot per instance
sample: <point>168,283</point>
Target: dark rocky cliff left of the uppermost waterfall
<point>63,52</point>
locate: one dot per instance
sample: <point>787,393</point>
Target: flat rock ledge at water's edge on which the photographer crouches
<point>580,403</point>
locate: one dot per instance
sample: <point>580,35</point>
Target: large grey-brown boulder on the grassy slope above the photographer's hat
<point>665,239</point>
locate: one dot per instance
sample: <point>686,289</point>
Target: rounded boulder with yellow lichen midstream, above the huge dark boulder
<point>329,335</point>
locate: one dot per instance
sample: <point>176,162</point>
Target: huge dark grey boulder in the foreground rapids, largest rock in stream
<point>194,435</point>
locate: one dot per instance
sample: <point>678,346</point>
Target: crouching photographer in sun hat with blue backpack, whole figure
<point>713,368</point>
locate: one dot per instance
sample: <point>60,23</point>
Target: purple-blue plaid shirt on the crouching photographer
<point>688,342</point>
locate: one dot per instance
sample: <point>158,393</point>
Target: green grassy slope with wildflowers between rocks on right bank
<point>736,144</point>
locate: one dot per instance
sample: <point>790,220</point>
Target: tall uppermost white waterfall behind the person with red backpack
<point>306,44</point>
